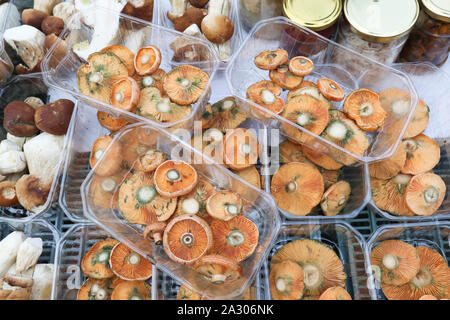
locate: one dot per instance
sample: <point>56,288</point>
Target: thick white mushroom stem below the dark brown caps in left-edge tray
<point>42,154</point>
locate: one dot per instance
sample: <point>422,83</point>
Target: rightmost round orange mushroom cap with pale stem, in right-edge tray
<point>425,193</point>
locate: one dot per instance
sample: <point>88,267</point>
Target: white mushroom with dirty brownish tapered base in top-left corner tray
<point>28,42</point>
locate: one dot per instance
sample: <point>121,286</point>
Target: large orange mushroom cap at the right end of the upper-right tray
<point>363,106</point>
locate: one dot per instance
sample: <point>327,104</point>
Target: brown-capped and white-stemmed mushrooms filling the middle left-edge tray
<point>29,159</point>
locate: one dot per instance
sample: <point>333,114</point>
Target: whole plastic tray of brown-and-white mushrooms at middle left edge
<point>34,135</point>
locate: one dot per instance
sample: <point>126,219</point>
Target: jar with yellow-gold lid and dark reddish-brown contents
<point>320,16</point>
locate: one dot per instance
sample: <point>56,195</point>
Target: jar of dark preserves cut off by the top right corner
<point>430,39</point>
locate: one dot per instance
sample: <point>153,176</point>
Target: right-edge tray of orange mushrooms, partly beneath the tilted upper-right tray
<point>413,185</point>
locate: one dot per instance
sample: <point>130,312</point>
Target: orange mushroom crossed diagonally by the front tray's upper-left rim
<point>111,160</point>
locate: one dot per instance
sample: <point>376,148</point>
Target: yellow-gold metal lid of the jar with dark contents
<point>316,15</point>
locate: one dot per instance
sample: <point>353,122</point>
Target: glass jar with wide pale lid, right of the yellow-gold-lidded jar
<point>375,29</point>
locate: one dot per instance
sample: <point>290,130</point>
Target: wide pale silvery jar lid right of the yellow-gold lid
<point>381,20</point>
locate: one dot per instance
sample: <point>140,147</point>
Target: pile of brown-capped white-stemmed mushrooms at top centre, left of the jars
<point>213,23</point>
